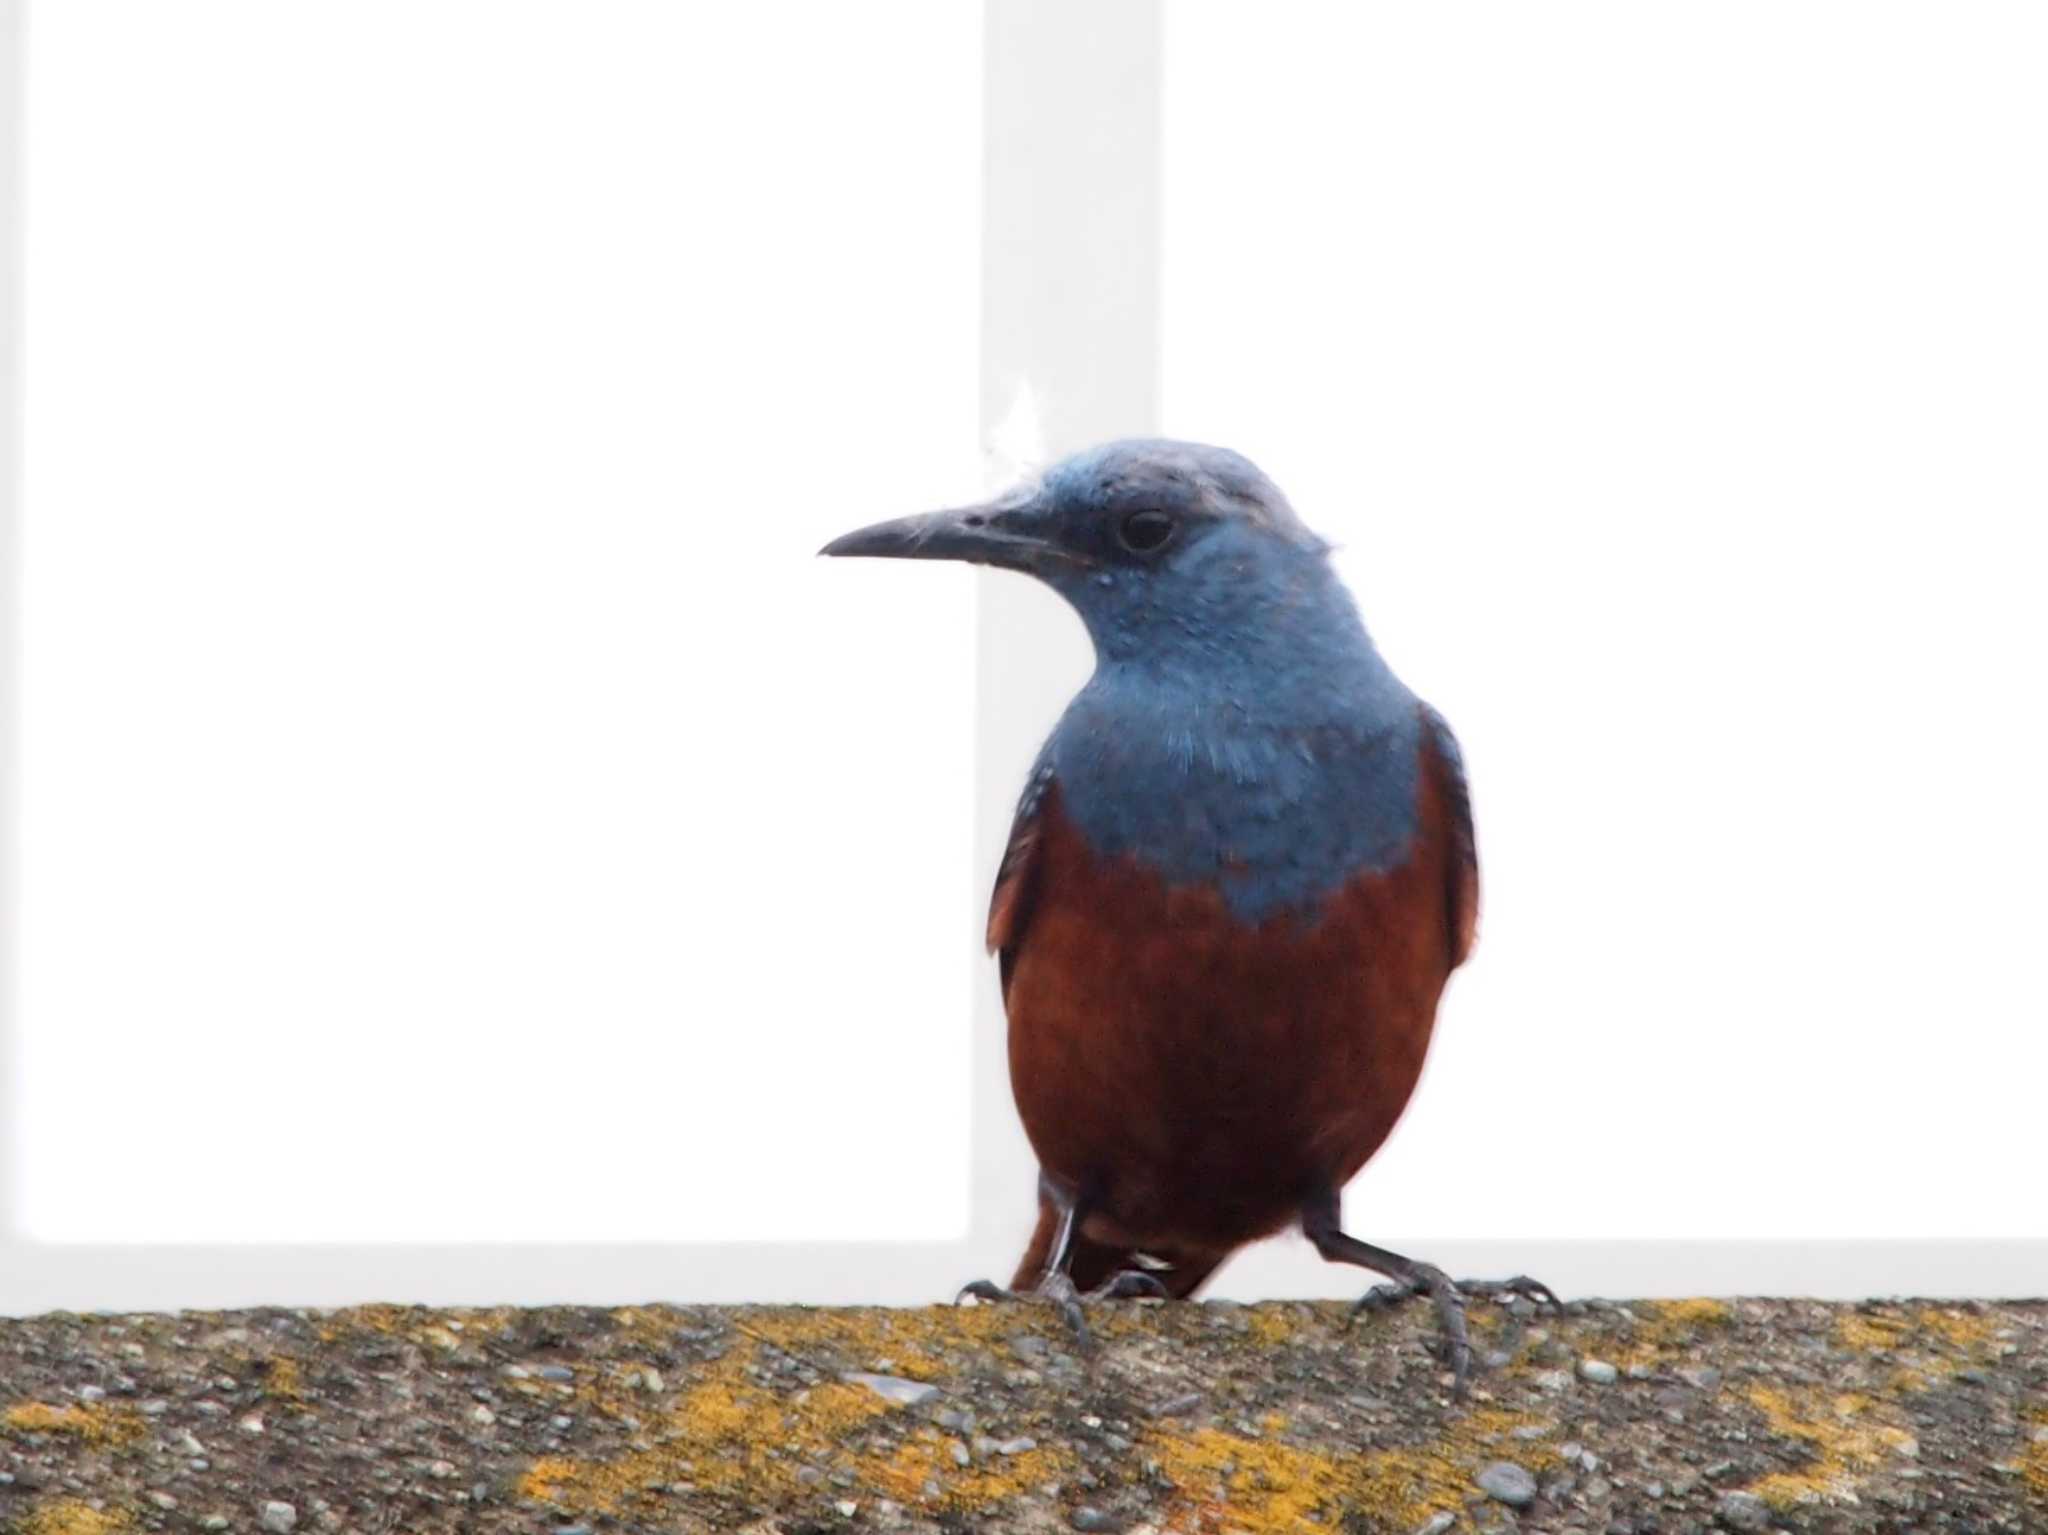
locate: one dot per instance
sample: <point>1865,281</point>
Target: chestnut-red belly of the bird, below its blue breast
<point>1207,1076</point>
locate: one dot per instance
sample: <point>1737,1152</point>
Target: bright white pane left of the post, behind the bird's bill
<point>456,801</point>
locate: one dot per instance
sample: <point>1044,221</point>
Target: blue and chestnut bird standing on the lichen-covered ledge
<point>1240,877</point>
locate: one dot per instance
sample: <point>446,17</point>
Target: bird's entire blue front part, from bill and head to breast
<point>1240,728</point>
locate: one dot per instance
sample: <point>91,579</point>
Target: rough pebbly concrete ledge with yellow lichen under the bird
<point>1197,1419</point>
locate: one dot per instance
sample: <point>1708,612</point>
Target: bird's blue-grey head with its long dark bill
<point>1158,545</point>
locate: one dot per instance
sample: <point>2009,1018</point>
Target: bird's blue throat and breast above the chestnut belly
<point>1240,732</point>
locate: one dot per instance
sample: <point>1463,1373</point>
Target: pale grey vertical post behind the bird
<point>1070,355</point>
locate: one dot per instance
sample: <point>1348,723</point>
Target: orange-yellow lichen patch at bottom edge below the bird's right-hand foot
<point>1269,1487</point>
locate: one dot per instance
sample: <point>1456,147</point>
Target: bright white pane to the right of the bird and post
<point>1674,380</point>
